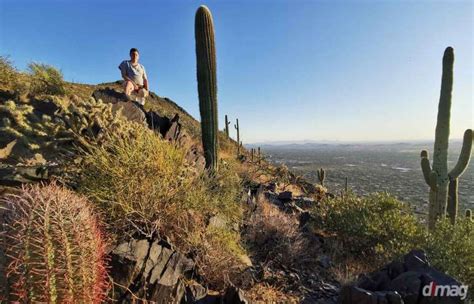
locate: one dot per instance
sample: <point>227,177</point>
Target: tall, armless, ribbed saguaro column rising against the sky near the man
<point>207,83</point>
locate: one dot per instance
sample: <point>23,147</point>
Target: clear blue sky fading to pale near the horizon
<point>288,70</point>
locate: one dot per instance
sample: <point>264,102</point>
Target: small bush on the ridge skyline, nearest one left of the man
<point>46,79</point>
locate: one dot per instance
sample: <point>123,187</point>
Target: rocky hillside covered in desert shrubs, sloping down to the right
<point>103,200</point>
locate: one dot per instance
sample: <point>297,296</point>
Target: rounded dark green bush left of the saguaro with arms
<point>375,225</point>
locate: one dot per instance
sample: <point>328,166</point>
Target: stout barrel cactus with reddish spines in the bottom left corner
<point>53,246</point>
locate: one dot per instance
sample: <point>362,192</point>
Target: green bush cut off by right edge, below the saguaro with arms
<point>450,248</point>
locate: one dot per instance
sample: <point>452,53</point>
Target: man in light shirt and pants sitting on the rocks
<point>134,76</point>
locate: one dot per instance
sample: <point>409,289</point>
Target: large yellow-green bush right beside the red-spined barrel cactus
<point>135,177</point>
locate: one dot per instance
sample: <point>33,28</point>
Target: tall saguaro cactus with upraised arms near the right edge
<point>443,198</point>
